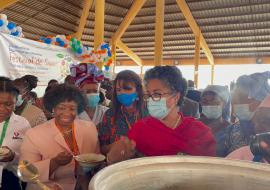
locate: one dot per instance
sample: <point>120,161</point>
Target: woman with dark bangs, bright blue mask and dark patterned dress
<point>127,108</point>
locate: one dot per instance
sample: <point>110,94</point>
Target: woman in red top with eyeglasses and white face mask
<point>166,131</point>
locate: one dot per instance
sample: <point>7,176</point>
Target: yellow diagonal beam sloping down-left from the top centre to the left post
<point>135,8</point>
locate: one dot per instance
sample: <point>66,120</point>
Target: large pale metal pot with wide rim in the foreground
<point>182,173</point>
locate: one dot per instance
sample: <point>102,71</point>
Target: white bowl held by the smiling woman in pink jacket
<point>89,160</point>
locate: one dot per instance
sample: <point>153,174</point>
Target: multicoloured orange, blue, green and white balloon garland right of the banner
<point>101,54</point>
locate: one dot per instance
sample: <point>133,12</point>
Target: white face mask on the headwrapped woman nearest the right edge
<point>242,112</point>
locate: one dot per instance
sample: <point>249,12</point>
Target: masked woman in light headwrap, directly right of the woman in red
<point>214,100</point>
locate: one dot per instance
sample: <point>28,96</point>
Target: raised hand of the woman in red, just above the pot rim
<point>121,150</point>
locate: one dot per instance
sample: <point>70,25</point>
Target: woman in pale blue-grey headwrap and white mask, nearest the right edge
<point>249,92</point>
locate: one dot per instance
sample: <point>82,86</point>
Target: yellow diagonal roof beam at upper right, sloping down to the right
<point>195,28</point>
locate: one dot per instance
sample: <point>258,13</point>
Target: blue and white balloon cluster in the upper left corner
<point>9,27</point>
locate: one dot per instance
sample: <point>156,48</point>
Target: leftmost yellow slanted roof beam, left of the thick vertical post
<point>83,19</point>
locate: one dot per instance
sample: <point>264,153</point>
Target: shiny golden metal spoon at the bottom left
<point>27,172</point>
